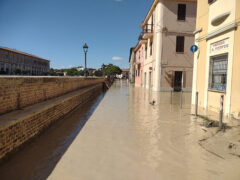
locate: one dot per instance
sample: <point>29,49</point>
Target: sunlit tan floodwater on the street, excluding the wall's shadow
<point>128,138</point>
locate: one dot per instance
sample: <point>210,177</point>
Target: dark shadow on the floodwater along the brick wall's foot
<point>38,159</point>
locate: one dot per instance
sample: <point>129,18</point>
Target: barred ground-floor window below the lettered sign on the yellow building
<point>218,73</point>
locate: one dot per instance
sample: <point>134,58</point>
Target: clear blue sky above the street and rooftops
<point>57,29</point>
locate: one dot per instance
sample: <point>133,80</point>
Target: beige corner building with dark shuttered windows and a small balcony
<point>167,37</point>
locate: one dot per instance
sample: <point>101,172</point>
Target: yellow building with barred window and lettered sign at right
<point>217,62</point>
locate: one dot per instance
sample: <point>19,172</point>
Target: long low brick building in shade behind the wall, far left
<point>16,62</point>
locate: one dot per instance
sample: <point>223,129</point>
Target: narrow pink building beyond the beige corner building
<point>139,60</point>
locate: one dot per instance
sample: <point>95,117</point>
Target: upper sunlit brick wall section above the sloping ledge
<point>19,92</point>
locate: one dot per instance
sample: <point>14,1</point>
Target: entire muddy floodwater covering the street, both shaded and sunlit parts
<point>123,137</point>
